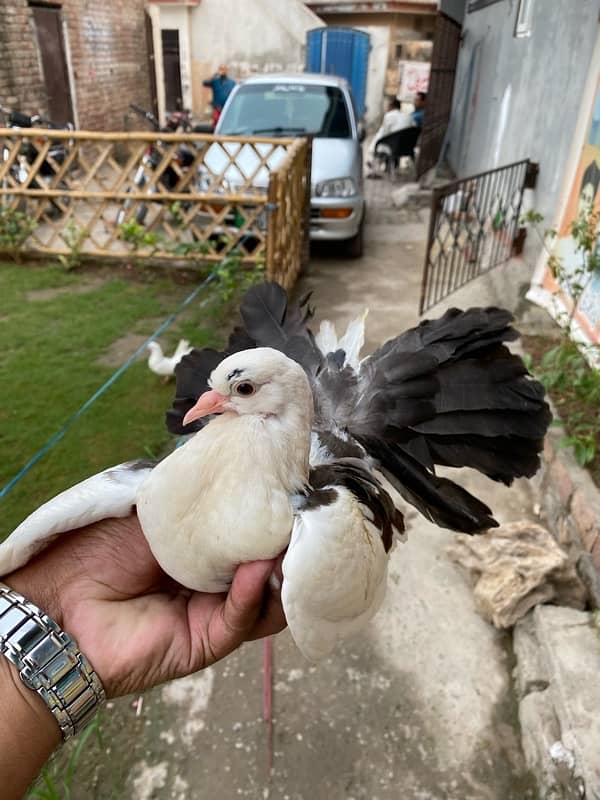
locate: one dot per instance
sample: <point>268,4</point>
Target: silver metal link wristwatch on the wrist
<point>49,662</point>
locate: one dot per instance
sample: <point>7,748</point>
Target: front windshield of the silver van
<point>287,109</point>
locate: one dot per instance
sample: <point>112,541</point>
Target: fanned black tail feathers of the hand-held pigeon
<point>448,392</point>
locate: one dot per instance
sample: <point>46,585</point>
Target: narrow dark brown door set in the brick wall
<point>48,28</point>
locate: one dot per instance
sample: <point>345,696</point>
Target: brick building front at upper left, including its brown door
<point>80,61</point>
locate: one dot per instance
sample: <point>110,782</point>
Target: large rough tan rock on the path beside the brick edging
<point>516,567</point>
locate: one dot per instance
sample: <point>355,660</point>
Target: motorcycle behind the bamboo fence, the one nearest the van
<point>177,122</point>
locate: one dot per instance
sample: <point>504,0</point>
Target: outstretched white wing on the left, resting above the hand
<point>111,493</point>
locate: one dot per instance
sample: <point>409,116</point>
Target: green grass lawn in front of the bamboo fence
<point>50,346</point>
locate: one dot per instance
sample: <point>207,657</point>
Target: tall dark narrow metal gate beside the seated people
<point>446,44</point>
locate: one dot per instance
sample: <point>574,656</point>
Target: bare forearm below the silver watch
<point>28,733</point>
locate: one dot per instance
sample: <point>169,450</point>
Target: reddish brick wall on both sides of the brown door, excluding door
<point>108,56</point>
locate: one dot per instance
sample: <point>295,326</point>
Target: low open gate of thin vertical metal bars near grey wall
<point>474,226</point>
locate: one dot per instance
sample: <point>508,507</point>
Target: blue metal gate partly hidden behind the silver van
<point>343,52</point>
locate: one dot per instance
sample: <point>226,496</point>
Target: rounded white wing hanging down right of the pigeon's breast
<point>334,575</point>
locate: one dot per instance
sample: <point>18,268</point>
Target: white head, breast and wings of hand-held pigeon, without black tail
<point>239,491</point>
